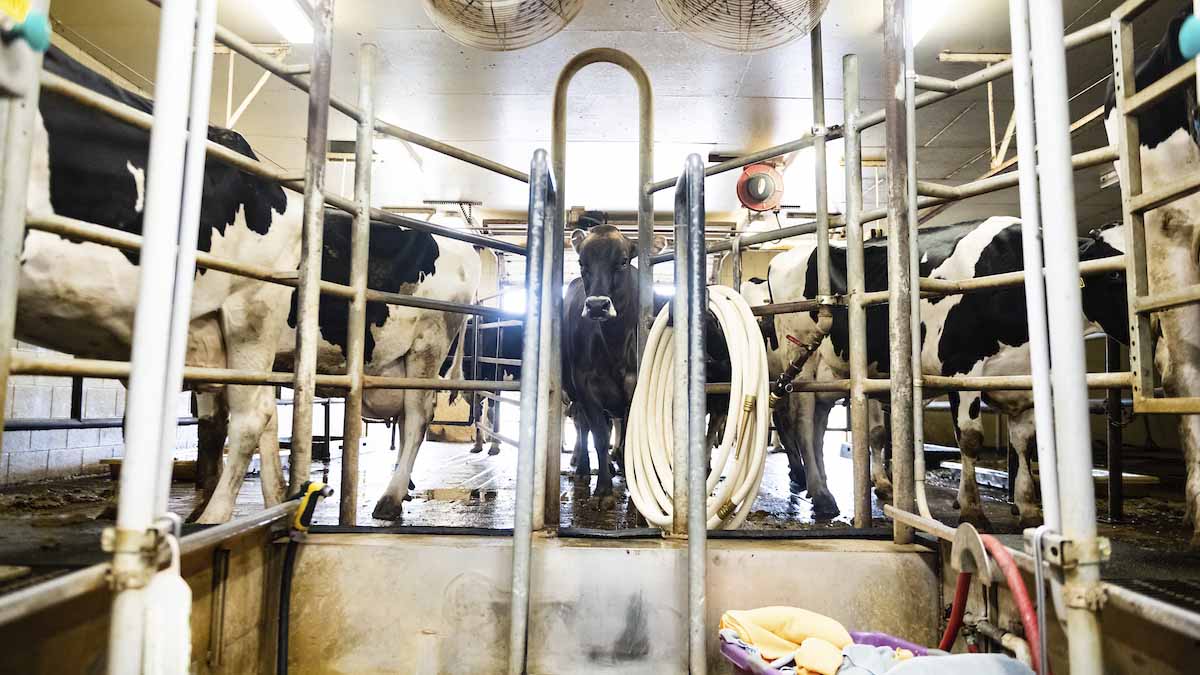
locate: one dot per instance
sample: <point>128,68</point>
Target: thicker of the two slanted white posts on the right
<point>1069,377</point>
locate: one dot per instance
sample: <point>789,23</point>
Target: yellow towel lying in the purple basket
<point>781,631</point>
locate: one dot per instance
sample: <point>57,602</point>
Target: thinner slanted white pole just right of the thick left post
<point>189,232</point>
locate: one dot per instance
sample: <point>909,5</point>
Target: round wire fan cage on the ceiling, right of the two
<point>745,26</point>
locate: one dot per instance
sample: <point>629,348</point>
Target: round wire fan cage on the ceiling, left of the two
<point>501,26</point>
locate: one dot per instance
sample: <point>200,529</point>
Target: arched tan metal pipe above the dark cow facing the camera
<point>645,166</point>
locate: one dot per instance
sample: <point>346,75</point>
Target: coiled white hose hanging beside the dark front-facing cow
<point>737,471</point>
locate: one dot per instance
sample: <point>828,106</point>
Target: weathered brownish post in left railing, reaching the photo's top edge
<point>309,289</point>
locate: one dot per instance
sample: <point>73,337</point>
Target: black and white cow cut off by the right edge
<point>1171,148</point>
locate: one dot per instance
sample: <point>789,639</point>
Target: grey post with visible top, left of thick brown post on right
<point>860,426</point>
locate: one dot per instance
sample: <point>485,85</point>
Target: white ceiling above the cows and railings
<point>499,105</point>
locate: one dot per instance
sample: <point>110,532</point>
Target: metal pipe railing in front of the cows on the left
<point>308,282</point>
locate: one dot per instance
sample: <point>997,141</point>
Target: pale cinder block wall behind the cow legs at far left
<point>35,456</point>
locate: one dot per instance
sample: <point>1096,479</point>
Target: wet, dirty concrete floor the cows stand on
<point>55,523</point>
